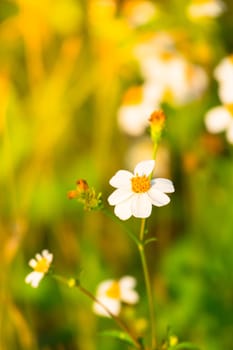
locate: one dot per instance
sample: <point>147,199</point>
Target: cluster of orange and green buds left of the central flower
<point>86,195</point>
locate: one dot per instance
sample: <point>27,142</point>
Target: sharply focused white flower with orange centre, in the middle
<point>136,193</point>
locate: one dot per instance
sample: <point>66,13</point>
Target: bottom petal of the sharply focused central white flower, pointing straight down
<point>141,205</point>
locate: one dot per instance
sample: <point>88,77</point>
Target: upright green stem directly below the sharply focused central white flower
<point>141,248</point>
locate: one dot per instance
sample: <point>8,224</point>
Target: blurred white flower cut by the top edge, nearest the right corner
<point>206,8</point>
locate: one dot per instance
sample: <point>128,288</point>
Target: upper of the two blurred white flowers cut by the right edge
<point>223,73</point>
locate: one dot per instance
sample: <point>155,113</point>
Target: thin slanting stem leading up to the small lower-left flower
<point>73,283</point>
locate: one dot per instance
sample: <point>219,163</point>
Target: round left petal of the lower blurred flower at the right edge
<point>217,119</point>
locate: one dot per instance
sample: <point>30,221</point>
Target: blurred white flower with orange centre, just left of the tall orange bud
<point>138,104</point>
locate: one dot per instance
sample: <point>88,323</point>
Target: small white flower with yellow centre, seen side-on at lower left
<point>40,266</point>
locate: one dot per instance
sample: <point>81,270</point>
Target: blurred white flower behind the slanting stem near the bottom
<point>112,293</point>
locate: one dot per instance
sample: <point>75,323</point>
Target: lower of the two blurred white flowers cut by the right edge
<point>220,119</point>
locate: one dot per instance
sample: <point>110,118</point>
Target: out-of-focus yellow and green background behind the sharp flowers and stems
<point>78,81</point>
